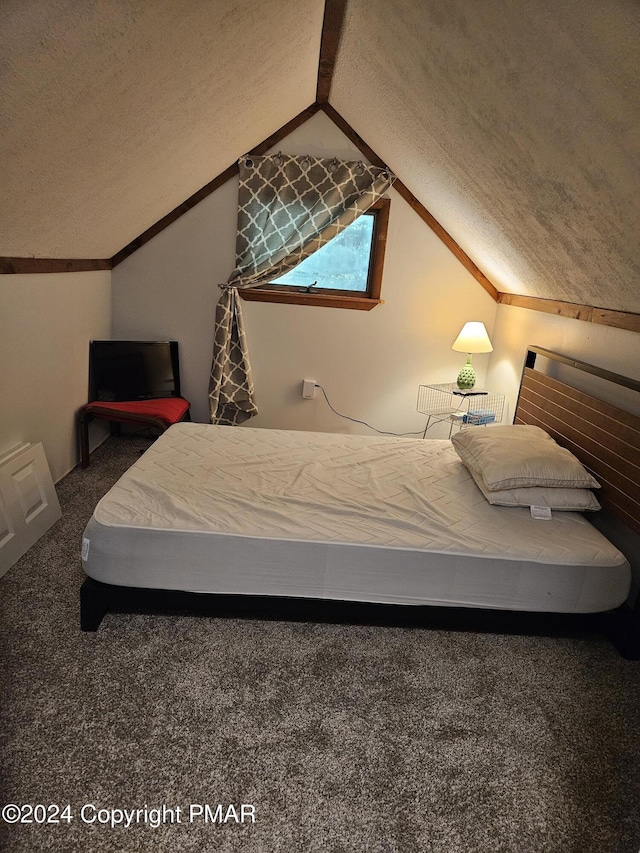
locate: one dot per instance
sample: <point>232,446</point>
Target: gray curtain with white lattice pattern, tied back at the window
<point>288,207</point>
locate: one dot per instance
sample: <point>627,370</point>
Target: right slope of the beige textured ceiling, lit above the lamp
<point>517,125</point>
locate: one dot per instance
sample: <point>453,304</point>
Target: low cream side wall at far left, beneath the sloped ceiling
<point>46,323</point>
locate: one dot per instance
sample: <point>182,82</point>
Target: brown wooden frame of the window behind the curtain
<point>332,298</point>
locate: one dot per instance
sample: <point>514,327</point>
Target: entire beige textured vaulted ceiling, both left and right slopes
<point>517,125</point>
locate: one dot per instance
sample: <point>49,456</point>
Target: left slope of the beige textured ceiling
<point>113,112</point>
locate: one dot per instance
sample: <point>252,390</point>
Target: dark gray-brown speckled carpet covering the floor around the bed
<point>343,738</point>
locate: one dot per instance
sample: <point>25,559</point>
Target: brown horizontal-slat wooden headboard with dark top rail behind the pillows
<point>604,438</point>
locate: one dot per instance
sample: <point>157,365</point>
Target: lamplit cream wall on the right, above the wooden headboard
<point>616,350</point>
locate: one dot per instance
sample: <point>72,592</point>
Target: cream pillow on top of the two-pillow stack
<point>519,456</point>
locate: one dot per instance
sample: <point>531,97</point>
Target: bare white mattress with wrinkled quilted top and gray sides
<point>381,519</point>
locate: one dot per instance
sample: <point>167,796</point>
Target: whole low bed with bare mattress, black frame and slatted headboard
<point>312,525</point>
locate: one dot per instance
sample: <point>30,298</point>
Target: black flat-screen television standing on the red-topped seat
<point>133,370</point>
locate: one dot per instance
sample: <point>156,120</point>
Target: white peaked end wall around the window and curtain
<point>370,363</point>
